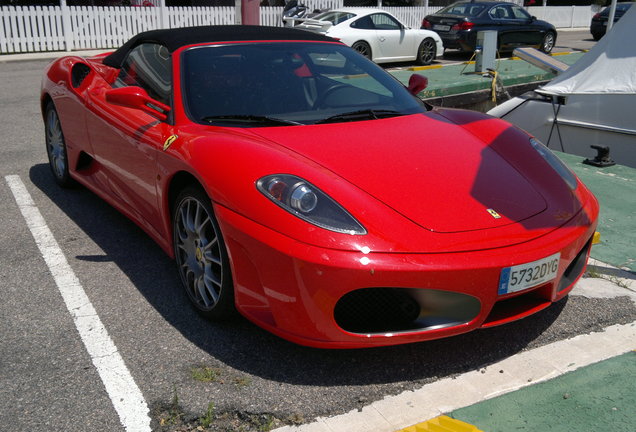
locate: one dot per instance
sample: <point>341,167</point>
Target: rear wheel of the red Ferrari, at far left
<point>56,147</point>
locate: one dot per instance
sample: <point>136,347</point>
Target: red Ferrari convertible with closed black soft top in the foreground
<point>297,182</point>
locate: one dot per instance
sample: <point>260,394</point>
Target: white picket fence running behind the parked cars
<point>55,28</point>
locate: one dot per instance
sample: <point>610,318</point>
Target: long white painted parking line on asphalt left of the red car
<point>120,385</point>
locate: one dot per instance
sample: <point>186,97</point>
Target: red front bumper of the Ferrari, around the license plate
<point>292,289</point>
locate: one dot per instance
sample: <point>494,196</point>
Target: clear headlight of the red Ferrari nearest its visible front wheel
<point>309,203</point>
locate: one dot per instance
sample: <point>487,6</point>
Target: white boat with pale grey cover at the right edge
<point>592,103</point>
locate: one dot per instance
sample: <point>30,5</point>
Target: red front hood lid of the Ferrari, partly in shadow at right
<point>439,175</point>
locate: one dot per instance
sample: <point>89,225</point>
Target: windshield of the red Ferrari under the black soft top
<point>286,83</point>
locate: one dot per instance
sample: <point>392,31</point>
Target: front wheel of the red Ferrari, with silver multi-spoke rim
<point>201,256</point>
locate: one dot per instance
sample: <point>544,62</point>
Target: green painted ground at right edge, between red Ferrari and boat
<point>615,189</point>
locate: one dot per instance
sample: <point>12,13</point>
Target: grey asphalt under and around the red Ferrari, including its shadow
<point>182,364</point>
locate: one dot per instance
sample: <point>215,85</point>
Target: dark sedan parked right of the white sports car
<point>459,23</point>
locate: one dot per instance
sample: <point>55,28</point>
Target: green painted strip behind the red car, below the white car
<point>456,79</point>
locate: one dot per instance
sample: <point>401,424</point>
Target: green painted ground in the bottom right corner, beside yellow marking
<point>600,397</point>
